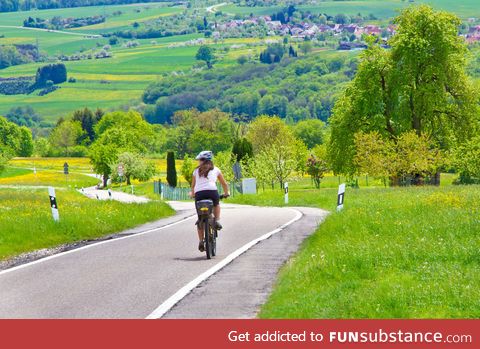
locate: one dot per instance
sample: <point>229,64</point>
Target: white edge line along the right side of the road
<point>185,290</point>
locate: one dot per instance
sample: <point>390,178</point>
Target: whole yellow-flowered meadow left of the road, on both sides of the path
<point>24,203</point>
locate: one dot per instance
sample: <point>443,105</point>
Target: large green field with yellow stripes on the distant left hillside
<point>108,83</point>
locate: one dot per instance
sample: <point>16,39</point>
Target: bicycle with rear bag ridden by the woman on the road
<point>207,222</point>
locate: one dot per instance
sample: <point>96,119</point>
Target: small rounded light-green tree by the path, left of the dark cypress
<point>134,167</point>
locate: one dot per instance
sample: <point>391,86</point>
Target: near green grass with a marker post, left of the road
<point>80,218</point>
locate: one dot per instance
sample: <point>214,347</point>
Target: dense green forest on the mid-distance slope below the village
<point>294,89</point>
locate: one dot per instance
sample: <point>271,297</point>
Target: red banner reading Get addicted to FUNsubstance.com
<point>328,334</point>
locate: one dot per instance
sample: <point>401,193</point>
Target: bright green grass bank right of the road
<point>391,253</point>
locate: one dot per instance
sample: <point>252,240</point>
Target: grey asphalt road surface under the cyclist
<point>131,276</point>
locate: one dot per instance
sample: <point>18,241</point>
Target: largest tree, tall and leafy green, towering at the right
<point>420,85</point>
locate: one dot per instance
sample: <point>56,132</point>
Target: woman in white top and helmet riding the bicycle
<point>204,187</point>
